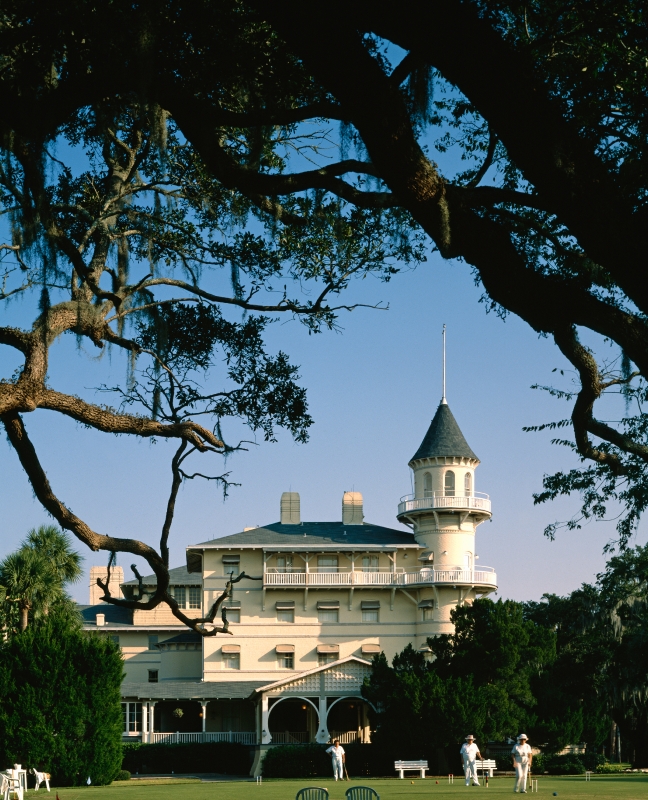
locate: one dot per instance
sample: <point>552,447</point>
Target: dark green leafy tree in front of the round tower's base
<point>480,681</point>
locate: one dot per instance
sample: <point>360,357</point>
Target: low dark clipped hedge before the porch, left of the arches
<point>227,758</point>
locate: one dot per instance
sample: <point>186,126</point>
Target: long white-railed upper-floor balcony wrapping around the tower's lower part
<point>483,576</point>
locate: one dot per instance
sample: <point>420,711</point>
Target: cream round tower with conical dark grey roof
<point>444,513</point>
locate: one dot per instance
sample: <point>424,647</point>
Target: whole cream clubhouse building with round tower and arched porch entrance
<point>329,596</point>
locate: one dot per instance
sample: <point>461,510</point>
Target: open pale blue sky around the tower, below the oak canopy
<point>373,388</point>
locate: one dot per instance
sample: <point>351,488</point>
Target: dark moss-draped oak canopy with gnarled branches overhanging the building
<point>206,129</point>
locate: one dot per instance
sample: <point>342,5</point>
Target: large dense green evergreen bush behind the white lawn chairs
<point>60,702</point>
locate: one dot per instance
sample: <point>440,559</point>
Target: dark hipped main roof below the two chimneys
<point>315,534</point>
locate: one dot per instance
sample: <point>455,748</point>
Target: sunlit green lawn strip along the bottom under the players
<point>601,787</point>
